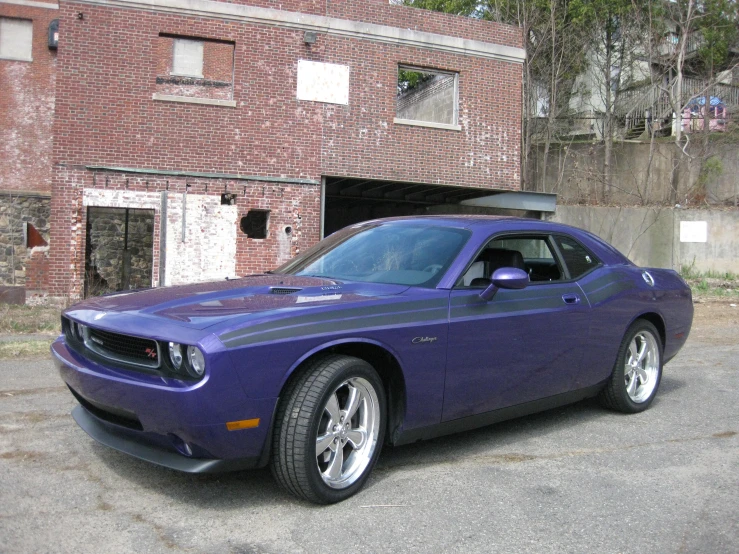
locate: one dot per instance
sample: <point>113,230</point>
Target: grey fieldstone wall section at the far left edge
<point>15,210</point>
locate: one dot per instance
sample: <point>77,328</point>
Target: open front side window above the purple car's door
<point>531,254</point>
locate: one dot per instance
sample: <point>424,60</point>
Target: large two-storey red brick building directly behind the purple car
<point>199,139</point>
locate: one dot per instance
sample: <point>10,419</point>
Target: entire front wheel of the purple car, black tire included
<point>329,429</point>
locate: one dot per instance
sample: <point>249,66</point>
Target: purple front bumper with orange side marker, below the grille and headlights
<point>177,424</point>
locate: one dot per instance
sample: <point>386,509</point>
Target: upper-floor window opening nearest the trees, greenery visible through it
<point>426,97</point>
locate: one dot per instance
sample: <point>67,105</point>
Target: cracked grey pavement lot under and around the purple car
<point>574,479</point>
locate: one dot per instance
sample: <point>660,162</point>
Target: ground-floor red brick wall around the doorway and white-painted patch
<point>293,205</point>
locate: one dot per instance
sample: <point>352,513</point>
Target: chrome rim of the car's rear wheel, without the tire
<point>641,368</point>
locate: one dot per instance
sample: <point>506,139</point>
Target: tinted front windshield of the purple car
<point>395,253</point>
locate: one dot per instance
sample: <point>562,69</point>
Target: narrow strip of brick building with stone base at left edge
<point>27,90</point>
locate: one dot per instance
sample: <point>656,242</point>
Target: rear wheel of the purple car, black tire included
<point>638,370</point>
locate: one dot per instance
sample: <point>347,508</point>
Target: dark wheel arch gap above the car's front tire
<point>380,357</point>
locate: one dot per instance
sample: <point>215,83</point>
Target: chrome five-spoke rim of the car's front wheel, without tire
<point>347,433</point>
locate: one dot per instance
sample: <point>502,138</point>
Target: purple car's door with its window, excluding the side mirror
<point>520,346</point>
